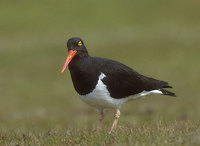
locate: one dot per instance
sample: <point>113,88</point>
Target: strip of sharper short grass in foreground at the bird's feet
<point>146,133</point>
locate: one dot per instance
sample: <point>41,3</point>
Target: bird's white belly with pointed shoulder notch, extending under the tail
<point>101,99</point>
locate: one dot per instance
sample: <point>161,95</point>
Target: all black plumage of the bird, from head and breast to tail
<point>121,81</point>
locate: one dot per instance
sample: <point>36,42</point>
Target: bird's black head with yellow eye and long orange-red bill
<point>75,47</point>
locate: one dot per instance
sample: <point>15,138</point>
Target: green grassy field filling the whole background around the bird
<point>157,38</point>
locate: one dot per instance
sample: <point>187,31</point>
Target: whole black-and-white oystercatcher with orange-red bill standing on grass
<point>105,83</point>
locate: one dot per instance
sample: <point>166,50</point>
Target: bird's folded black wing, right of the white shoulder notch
<point>122,81</point>
